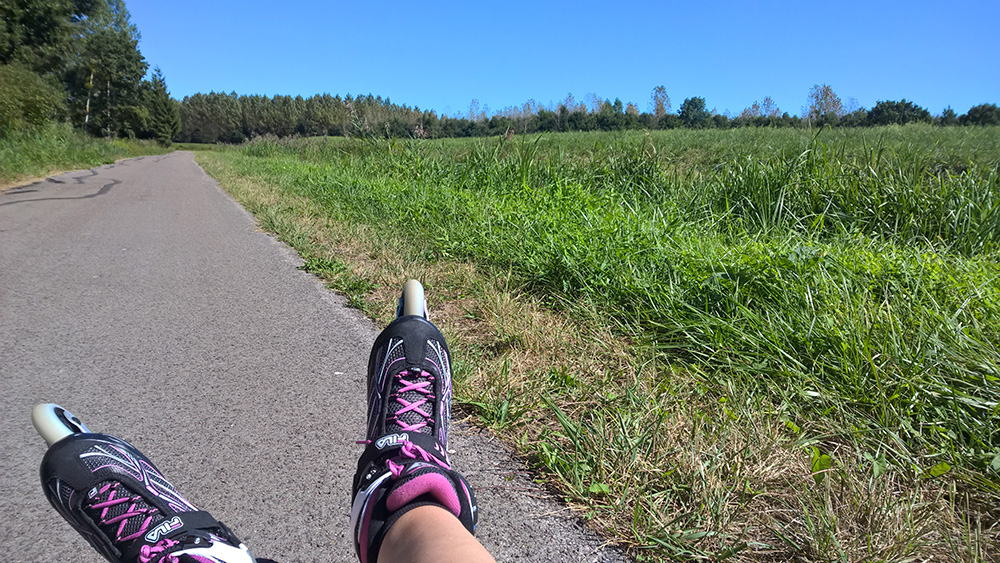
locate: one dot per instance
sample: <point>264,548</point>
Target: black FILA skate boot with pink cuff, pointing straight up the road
<point>405,463</point>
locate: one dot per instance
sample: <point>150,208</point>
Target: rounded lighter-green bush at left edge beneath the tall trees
<point>27,99</point>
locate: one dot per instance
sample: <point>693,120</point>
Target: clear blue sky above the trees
<point>442,55</point>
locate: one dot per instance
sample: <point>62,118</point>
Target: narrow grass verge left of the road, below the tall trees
<point>37,153</point>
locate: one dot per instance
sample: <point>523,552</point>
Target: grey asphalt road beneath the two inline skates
<point>144,299</point>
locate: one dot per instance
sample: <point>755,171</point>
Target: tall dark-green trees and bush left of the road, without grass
<point>79,61</point>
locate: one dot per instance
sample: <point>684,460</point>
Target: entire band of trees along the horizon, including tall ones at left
<point>78,62</point>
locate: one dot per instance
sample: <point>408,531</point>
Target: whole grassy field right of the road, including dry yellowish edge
<point>750,344</point>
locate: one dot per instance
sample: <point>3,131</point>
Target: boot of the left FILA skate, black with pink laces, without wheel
<point>121,504</point>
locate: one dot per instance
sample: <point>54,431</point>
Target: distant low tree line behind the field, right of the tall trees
<point>232,118</point>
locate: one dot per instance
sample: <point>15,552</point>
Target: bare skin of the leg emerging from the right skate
<point>431,534</point>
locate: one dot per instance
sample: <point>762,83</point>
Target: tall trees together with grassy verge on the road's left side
<point>73,92</point>
